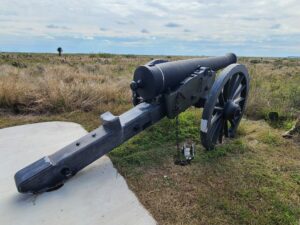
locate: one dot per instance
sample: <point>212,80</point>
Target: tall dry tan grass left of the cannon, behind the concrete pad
<point>66,85</point>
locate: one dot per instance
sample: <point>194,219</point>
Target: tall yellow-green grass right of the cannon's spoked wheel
<point>275,86</point>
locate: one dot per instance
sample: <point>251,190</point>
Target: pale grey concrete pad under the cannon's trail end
<point>96,195</point>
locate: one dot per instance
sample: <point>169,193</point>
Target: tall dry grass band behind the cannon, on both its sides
<point>43,83</point>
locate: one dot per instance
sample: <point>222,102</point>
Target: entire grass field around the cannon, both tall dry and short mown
<point>253,179</point>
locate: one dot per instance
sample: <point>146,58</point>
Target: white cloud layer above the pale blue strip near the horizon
<point>228,21</point>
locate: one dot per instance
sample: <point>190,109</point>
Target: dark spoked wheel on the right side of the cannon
<point>225,105</point>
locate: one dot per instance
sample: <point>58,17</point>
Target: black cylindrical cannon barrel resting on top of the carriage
<point>155,78</point>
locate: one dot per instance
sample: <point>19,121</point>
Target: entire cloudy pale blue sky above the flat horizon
<point>155,27</point>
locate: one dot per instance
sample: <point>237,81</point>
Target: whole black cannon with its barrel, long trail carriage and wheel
<point>159,88</point>
